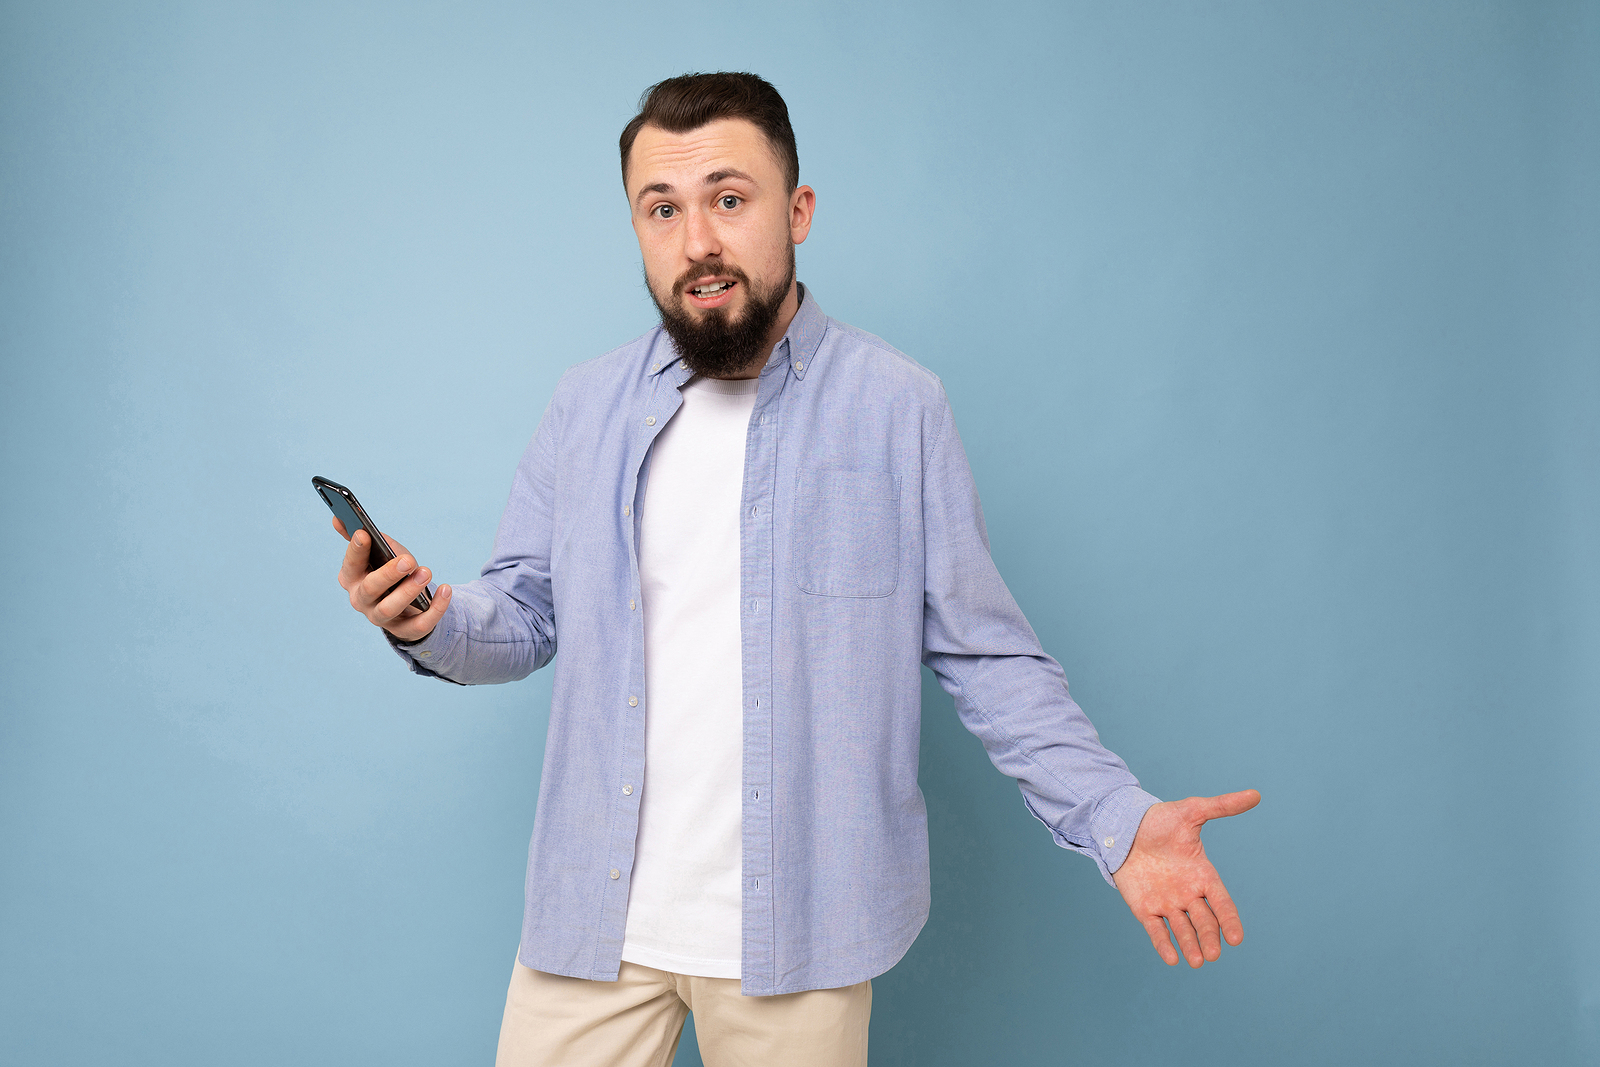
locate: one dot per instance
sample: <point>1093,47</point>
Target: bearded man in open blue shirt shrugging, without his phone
<point>751,527</point>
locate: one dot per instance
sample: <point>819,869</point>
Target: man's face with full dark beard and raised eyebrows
<point>718,231</point>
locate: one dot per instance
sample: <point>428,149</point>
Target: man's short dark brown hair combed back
<point>694,100</point>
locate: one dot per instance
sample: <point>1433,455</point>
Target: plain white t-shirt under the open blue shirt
<point>684,903</point>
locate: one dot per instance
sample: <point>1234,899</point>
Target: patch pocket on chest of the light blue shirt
<point>847,533</point>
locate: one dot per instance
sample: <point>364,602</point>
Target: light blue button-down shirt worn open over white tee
<point>863,556</point>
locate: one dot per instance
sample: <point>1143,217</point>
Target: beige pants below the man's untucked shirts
<point>636,1021</point>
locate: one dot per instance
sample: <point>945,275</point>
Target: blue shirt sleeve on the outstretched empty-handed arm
<point>1007,690</point>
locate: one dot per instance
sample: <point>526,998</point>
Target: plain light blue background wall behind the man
<point>1274,342</point>
